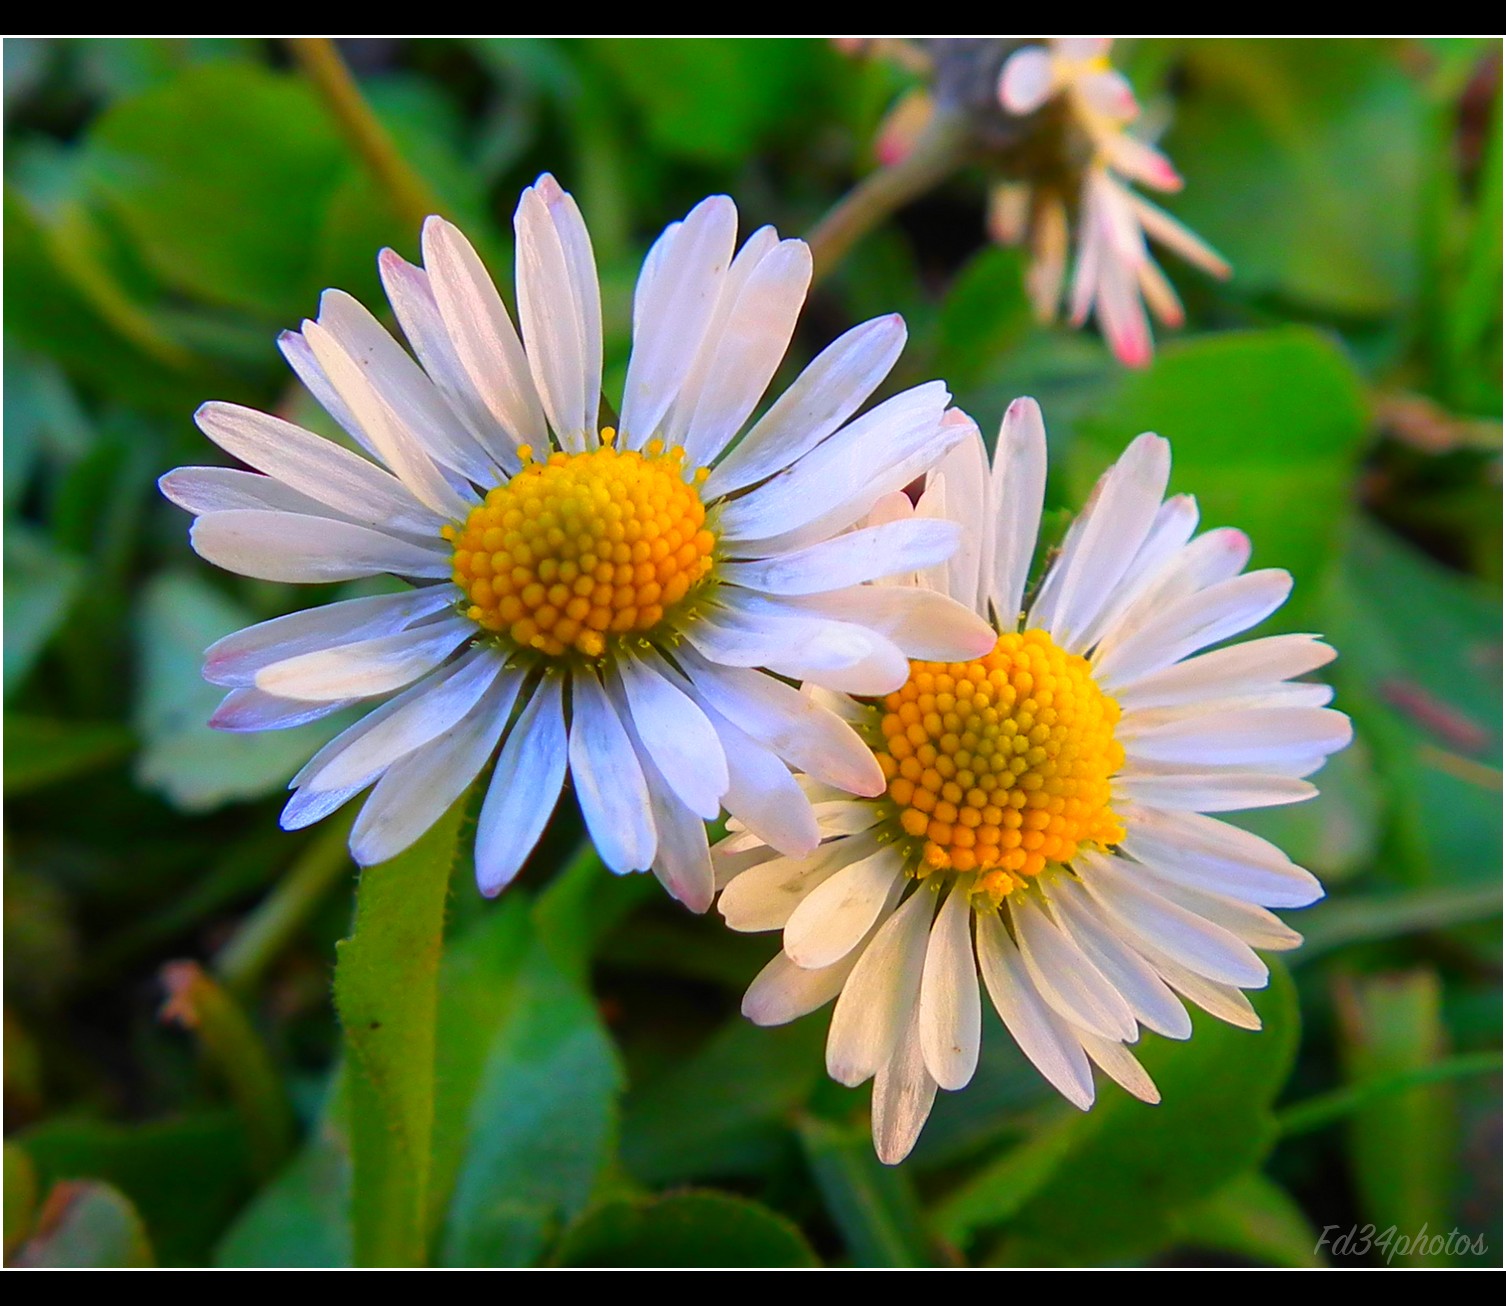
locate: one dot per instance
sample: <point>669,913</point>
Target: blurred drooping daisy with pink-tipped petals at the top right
<point>1115,276</point>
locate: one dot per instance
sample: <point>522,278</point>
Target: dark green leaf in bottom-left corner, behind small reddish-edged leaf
<point>186,1176</point>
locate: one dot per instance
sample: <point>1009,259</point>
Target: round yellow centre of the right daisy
<point>1002,766</point>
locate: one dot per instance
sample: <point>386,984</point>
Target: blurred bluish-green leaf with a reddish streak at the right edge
<point>1421,671</point>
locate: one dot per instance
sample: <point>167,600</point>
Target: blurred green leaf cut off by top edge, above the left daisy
<point>716,102</point>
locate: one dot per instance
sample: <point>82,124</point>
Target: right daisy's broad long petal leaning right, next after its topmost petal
<point>1114,532</point>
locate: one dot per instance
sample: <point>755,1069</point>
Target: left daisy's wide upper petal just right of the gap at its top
<point>672,310</point>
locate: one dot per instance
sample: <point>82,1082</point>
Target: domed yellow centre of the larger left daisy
<point>584,548</point>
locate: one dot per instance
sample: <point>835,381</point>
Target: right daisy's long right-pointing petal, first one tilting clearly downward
<point>1206,853</point>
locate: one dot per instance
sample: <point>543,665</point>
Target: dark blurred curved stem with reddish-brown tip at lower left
<point>239,1057</point>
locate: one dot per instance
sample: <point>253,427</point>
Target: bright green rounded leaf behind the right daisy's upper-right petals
<point>1266,430</point>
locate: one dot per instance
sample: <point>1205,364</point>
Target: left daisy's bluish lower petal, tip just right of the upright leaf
<point>523,789</point>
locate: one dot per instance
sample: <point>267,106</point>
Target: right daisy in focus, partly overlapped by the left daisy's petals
<point>1047,817</point>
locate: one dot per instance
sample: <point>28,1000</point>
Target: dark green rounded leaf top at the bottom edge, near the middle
<point>684,1231</point>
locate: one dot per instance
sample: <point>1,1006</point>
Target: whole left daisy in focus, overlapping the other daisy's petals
<point>603,600</point>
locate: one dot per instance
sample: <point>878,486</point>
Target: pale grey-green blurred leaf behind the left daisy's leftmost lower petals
<point>195,767</point>
